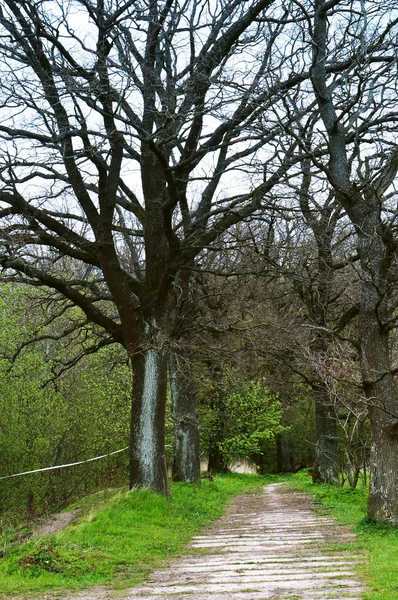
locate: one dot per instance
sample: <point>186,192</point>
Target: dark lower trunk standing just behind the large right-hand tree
<point>327,442</point>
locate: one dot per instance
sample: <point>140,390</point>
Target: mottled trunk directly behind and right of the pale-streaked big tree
<point>186,461</point>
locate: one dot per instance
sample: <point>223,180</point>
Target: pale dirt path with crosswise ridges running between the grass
<point>268,546</point>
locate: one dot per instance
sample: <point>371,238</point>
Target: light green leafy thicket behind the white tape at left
<point>83,414</point>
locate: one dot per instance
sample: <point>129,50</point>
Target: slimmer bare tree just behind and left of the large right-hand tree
<point>326,309</point>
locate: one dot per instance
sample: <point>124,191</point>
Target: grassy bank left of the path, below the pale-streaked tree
<point>120,537</point>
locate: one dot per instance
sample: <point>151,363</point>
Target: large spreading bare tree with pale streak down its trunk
<point>121,122</point>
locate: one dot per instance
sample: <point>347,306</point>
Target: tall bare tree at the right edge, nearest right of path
<point>356,135</point>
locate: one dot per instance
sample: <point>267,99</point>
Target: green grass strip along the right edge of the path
<point>377,543</point>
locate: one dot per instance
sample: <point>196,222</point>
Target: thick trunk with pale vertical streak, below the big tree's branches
<point>147,452</point>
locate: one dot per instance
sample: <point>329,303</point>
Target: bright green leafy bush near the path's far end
<point>253,417</point>
